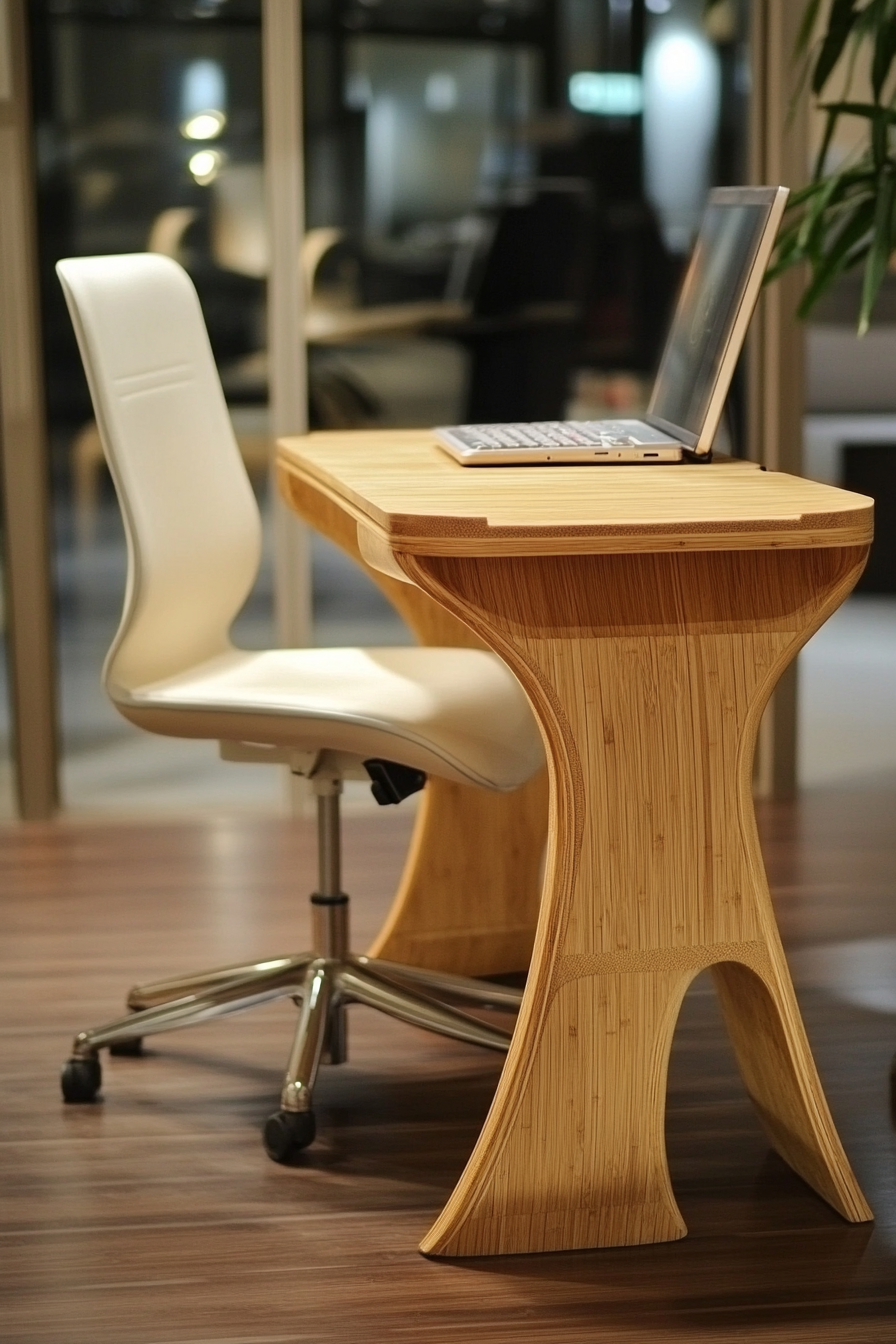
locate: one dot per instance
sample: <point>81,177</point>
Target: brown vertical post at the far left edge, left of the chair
<point>24,443</point>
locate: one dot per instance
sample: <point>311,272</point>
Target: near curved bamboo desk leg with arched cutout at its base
<point>649,675</point>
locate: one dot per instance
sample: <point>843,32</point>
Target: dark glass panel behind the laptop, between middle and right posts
<point>533,169</point>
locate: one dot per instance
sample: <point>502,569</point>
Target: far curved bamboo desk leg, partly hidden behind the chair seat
<point>468,900</point>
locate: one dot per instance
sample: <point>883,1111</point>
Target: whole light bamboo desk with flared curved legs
<point>649,614</point>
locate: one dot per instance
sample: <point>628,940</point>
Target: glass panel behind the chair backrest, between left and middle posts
<point>139,110</point>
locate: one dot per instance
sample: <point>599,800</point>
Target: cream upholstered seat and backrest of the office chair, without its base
<point>194,540</point>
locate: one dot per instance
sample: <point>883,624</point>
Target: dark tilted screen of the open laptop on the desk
<point>711,296</point>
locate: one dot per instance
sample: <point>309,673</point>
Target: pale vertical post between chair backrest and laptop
<point>287,355</point>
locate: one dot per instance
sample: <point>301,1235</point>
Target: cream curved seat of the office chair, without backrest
<point>444,712</point>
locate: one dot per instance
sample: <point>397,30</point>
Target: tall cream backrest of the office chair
<point>191,521</point>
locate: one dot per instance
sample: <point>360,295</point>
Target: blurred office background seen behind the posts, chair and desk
<point>500,200</point>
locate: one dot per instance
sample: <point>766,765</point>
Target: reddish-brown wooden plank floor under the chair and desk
<point>155,1217</point>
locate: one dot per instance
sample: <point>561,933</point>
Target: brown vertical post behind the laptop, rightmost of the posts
<point>778,154</point>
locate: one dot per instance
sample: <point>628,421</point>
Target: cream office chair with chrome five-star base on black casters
<point>388,716</point>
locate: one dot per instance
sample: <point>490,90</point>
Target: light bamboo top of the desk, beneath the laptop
<point>406,491</point>
